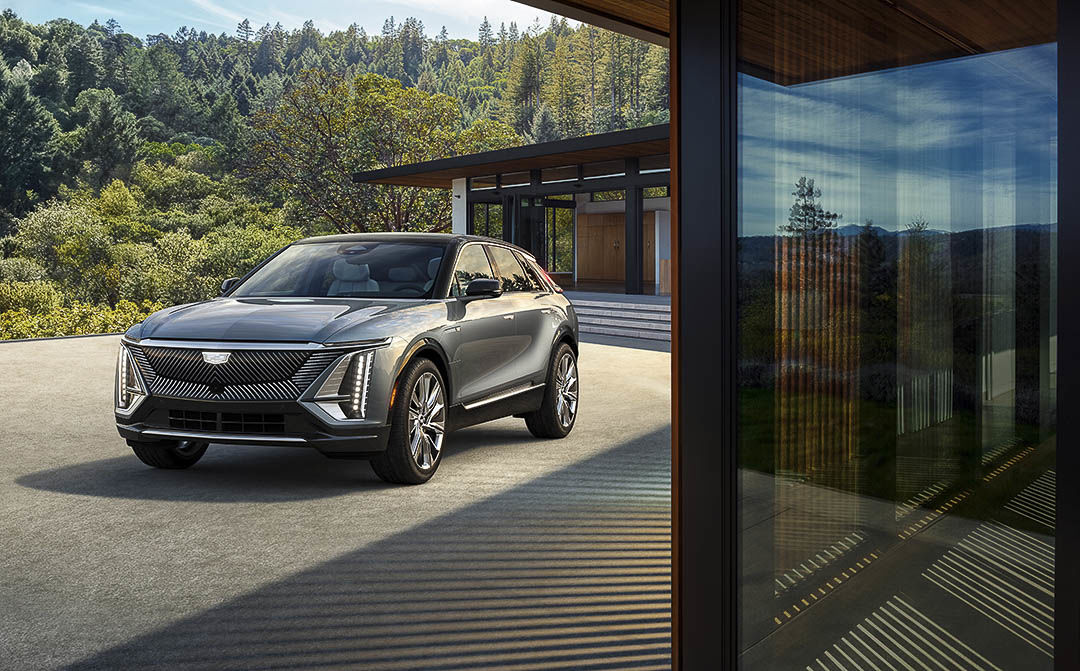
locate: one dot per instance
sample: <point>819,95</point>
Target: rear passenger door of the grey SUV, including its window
<point>525,298</point>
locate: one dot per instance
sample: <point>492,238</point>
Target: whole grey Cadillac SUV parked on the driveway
<point>367,346</point>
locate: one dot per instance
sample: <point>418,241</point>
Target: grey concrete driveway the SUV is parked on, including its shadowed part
<point>520,555</point>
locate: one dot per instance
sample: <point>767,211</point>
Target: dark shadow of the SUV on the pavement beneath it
<point>234,474</point>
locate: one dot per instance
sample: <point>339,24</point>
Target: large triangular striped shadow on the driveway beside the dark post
<point>572,570</point>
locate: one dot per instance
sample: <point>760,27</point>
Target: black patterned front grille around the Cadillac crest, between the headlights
<point>248,375</point>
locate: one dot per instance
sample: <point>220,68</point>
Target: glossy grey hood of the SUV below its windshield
<point>293,320</point>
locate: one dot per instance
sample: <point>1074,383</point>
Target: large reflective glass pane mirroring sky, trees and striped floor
<point>898,340</point>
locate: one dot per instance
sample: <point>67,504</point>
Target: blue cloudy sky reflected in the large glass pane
<point>969,143</point>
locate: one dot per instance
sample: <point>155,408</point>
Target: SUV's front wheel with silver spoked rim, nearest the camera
<point>417,435</point>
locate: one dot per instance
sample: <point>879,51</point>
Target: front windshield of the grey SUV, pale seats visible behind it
<point>383,270</point>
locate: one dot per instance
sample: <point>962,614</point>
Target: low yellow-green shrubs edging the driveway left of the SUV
<point>78,319</point>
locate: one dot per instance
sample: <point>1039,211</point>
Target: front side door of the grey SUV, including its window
<point>488,344</point>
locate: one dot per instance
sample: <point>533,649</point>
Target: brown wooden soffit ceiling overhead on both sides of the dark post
<point>800,42</point>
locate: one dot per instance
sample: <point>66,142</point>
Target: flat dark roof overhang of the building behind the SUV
<point>620,145</point>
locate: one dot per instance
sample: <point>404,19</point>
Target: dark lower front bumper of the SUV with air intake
<point>286,424</point>
